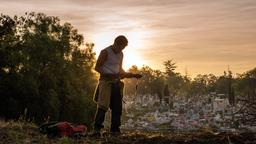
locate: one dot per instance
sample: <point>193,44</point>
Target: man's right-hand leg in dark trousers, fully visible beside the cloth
<point>116,108</point>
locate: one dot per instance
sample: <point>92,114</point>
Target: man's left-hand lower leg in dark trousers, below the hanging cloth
<point>99,119</point>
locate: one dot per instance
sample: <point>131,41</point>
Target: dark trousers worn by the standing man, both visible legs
<point>116,110</point>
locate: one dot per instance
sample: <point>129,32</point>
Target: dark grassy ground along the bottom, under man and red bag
<point>20,132</point>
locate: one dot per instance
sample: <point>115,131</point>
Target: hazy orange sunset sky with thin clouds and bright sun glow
<point>201,36</point>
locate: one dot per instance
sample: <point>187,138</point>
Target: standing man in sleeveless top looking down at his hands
<point>109,91</point>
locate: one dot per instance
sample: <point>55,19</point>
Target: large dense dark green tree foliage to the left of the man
<point>44,70</point>
